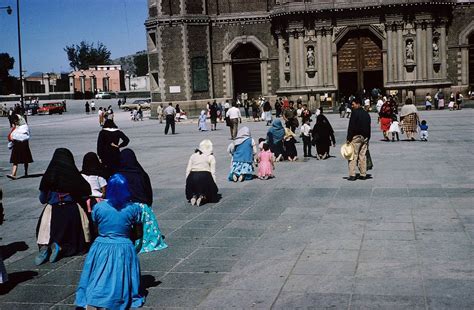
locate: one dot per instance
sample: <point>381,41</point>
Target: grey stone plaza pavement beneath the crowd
<point>306,239</point>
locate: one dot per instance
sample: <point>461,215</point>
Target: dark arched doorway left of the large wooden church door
<point>246,72</point>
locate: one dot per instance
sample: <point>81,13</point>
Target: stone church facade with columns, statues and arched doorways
<point>314,49</point>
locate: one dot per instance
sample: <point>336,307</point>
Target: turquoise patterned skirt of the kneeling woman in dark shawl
<point>152,239</point>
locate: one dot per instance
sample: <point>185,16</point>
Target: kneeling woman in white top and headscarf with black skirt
<point>201,175</point>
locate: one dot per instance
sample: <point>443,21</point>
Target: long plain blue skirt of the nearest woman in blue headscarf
<point>111,276</point>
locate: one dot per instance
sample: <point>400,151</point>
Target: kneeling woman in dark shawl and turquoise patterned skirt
<point>142,194</point>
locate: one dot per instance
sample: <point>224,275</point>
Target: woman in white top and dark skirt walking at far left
<point>19,143</point>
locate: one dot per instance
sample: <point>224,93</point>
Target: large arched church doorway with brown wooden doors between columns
<point>359,62</point>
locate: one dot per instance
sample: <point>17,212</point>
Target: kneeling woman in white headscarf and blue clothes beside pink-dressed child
<point>242,149</point>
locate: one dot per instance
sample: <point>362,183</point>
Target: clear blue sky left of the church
<point>47,26</point>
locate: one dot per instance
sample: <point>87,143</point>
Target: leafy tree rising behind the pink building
<point>84,55</point>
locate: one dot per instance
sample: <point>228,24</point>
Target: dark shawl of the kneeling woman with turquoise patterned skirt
<point>138,180</point>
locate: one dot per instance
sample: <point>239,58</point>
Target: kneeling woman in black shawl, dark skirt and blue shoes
<point>63,227</point>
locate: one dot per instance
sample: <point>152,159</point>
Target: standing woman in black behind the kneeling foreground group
<point>108,146</point>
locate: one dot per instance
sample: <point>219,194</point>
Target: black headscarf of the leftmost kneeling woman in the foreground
<point>63,176</point>
